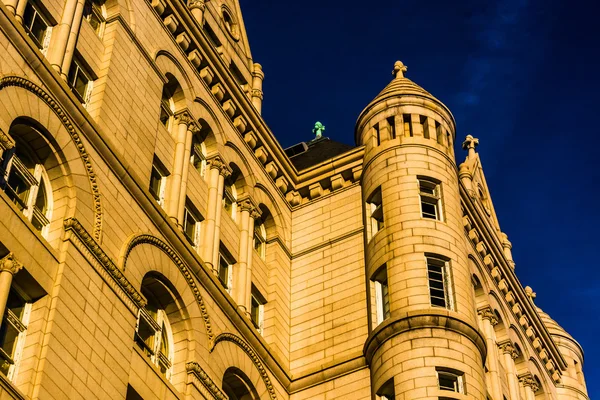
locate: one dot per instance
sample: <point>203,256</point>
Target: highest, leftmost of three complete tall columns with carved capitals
<point>181,132</point>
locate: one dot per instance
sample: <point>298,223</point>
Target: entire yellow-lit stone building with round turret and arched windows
<point>156,242</point>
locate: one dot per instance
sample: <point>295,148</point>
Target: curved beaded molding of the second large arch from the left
<point>185,271</point>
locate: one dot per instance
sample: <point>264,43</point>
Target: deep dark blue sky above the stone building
<point>521,75</point>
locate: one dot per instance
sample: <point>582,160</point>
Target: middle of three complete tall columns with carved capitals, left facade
<point>216,182</point>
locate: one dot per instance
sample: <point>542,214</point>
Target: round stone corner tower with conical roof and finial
<point>423,328</point>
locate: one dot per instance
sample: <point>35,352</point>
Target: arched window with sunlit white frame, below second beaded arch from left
<point>153,332</point>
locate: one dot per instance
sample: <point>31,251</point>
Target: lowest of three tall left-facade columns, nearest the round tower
<point>247,209</point>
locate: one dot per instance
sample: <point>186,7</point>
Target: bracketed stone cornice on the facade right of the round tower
<point>488,247</point>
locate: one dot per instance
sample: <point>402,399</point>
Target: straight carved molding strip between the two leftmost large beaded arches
<point>111,272</point>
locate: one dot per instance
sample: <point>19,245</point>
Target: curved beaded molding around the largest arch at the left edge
<point>17,81</point>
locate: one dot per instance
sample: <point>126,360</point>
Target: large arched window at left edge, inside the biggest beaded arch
<point>25,181</point>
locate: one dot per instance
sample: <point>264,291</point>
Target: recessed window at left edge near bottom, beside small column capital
<point>13,332</point>
